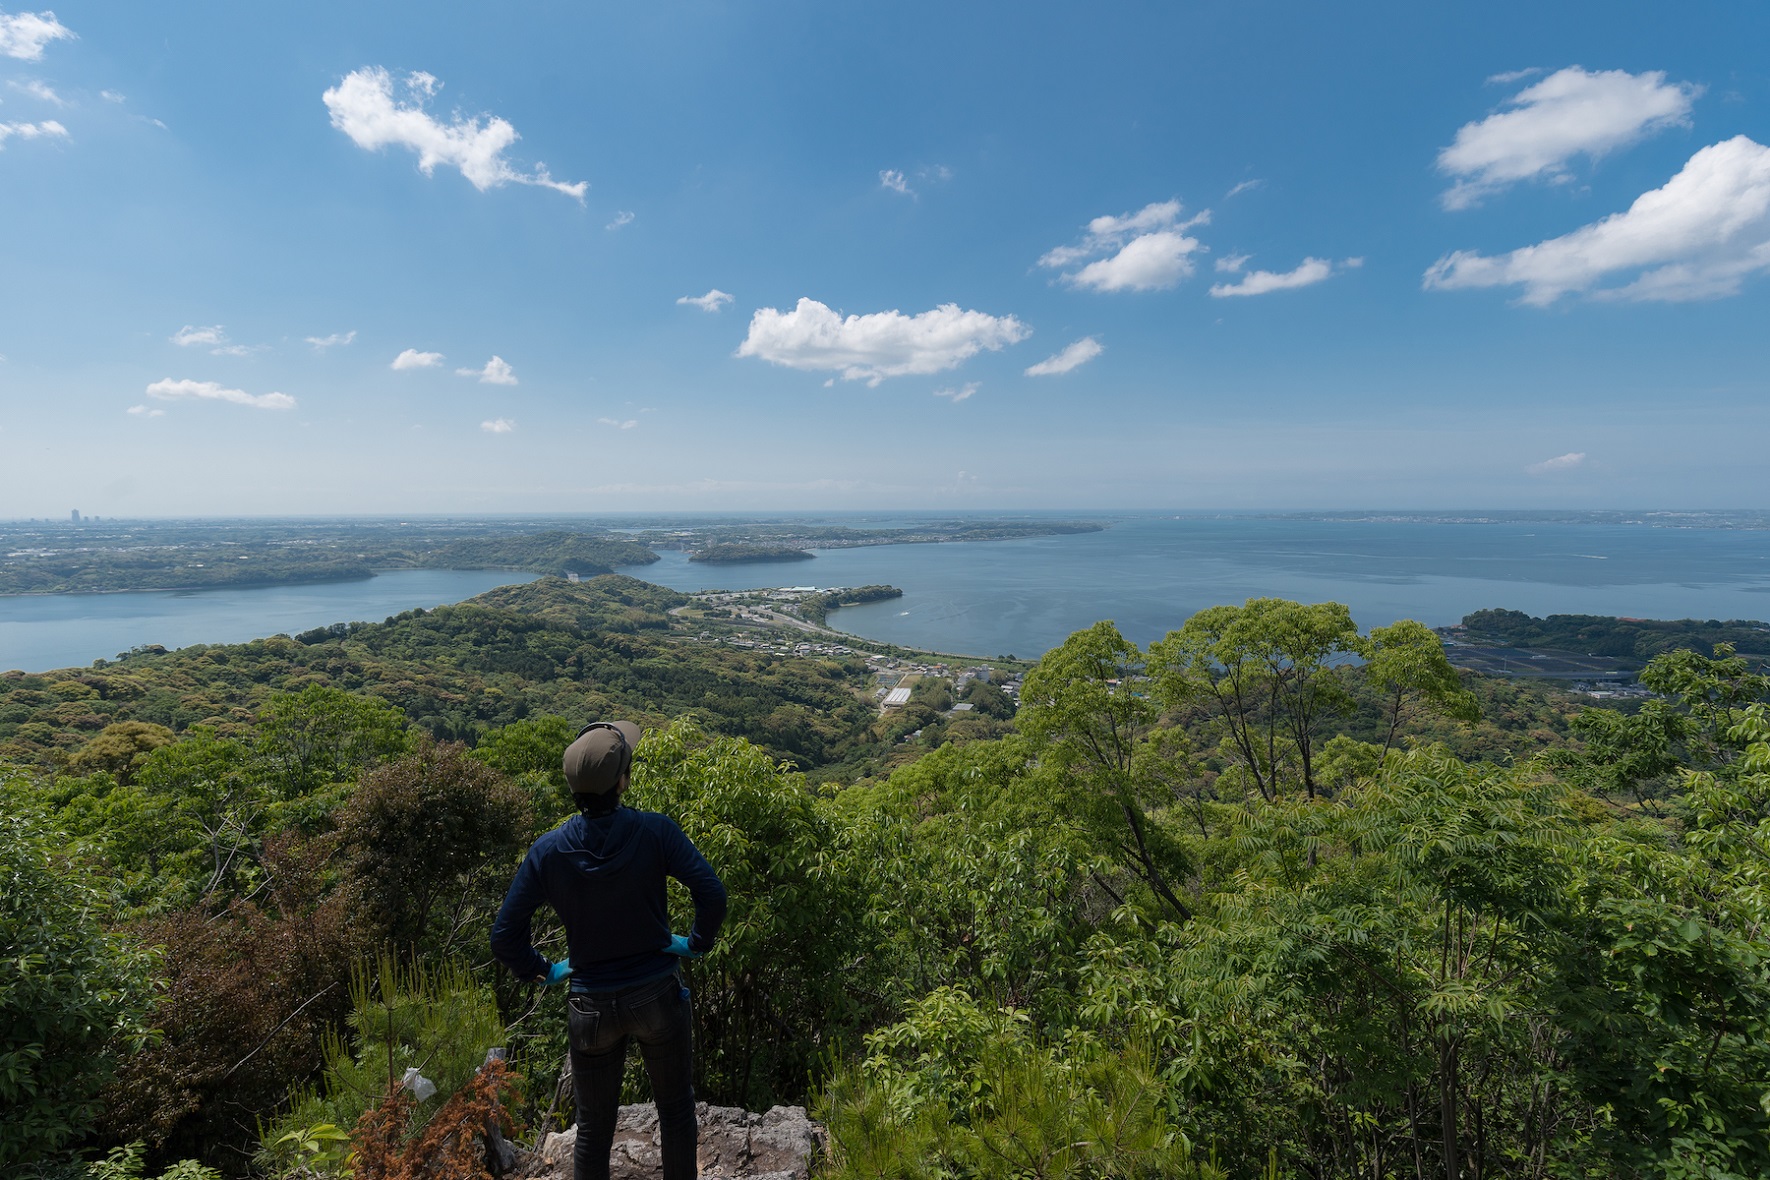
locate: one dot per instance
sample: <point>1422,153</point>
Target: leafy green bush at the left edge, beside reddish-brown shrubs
<point>73,997</point>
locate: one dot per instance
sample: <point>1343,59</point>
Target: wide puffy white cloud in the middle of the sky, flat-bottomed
<point>879,346</point>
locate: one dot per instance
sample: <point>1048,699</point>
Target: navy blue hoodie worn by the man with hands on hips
<point>606,880</point>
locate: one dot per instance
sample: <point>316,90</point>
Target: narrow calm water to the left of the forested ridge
<point>42,632</point>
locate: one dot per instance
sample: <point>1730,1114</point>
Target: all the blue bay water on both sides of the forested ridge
<point>1022,597</point>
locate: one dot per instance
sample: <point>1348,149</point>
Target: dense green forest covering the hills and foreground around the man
<point>1270,898</point>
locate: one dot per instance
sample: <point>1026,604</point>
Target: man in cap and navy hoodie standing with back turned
<point>604,871</point>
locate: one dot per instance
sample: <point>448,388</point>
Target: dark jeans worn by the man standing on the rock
<point>656,1015</point>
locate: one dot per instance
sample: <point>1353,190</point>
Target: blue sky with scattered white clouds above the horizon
<point>946,257</point>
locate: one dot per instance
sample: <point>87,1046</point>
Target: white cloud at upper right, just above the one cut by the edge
<point>1569,114</point>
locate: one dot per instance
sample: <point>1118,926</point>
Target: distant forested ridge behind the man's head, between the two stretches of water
<point>553,647</point>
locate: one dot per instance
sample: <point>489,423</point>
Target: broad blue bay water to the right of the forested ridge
<point>1150,574</point>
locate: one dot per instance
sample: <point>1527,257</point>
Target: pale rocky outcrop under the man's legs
<point>735,1146</point>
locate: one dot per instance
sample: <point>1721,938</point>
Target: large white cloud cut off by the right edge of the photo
<point>1695,238</point>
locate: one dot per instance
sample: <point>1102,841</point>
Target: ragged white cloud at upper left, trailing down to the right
<point>366,109</point>
